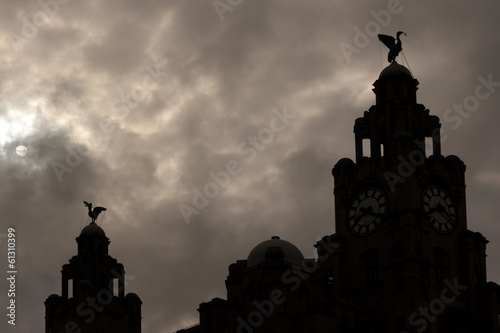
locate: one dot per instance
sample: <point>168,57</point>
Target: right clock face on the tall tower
<point>439,206</point>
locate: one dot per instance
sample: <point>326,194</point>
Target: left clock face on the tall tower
<point>366,211</point>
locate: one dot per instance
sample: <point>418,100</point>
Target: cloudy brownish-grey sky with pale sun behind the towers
<point>136,105</point>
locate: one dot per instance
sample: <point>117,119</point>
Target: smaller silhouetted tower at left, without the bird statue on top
<point>93,291</point>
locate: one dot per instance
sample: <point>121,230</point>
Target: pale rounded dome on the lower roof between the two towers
<point>275,248</point>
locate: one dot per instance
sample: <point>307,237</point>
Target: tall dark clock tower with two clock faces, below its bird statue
<point>406,261</point>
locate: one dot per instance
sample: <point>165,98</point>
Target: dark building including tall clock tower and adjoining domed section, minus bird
<point>401,258</point>
